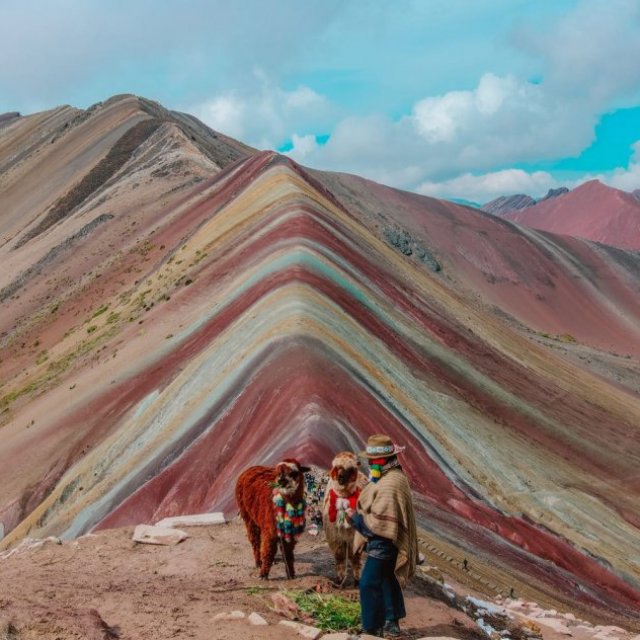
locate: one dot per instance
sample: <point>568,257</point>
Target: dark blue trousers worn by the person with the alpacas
<point>380,594</point>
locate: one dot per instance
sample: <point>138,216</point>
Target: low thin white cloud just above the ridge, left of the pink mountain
<point>483,188</point>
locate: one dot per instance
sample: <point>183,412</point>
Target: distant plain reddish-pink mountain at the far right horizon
<point>593,211</point>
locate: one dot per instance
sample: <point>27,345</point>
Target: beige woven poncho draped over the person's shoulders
<point>387,509</point>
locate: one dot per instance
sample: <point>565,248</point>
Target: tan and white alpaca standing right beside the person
<point>345,482</point>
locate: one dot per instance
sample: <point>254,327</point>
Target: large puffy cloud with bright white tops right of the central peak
<point>500,122</point>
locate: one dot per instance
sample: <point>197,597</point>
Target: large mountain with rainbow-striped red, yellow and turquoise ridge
<point>177,307</point>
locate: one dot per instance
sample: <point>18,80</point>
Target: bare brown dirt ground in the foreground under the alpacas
<point>107,586</point>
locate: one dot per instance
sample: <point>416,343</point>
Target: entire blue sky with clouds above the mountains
<point>454,98</point>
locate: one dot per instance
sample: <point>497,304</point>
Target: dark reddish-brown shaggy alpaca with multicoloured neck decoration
<point>254,494</point>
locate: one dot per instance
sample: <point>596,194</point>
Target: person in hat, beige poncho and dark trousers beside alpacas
<point>385,521</point>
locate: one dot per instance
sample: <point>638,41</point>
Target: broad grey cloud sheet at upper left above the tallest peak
<point>57,51</point>
